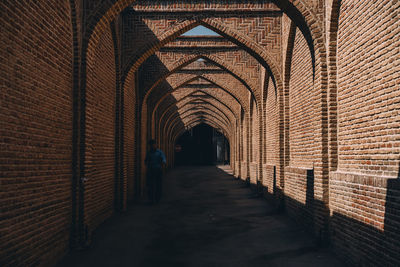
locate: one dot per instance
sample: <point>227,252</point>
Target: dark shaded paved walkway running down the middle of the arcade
<point>206,218</point>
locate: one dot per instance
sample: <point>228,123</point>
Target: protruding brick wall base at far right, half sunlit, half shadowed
<point>365,217</point>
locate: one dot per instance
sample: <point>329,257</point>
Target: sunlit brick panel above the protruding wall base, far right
<point>368,88</point>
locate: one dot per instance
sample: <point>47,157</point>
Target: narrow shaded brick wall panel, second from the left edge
<point>100,132</point>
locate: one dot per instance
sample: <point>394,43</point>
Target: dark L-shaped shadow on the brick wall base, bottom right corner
<point>363,244</point>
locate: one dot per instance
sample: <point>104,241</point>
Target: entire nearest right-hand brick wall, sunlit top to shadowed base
<point>364,190</point>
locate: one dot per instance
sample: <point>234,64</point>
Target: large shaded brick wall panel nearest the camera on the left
<point>36,131</point>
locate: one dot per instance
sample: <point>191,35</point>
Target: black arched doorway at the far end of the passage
<point>202,145</point>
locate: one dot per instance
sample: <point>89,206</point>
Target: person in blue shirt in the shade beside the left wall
<point>155,161</point>
